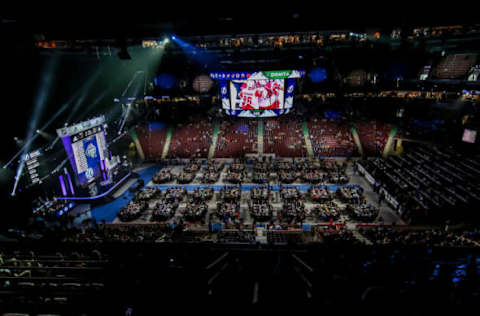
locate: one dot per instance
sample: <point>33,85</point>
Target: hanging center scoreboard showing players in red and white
<point>257,94</point>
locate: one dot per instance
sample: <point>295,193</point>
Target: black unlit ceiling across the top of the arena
<point>184,18</point>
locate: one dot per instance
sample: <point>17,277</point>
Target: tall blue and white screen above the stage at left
<point>86,148</point>
